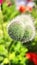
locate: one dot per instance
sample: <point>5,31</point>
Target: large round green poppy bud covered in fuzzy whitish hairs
<point>22,28</point>
